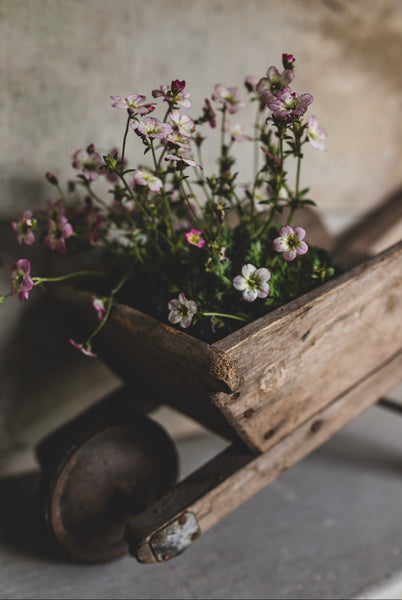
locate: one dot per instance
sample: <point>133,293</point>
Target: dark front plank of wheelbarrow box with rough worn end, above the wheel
<point>139,346</point>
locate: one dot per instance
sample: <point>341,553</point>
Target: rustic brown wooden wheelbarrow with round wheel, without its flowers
<point>277,388</point>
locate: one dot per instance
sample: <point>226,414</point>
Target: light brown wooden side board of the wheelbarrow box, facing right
<point>298,358</point>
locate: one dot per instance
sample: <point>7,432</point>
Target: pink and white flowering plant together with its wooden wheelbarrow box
<point>206,290</point>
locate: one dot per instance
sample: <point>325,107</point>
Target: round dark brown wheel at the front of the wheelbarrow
<point>96,475</point>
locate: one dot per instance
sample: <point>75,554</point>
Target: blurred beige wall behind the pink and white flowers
<point>62,59</point>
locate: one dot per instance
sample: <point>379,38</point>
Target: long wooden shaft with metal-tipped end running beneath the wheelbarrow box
<point>236,474</point>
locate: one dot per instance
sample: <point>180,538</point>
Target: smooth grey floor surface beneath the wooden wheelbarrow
<point>330,527</point>
